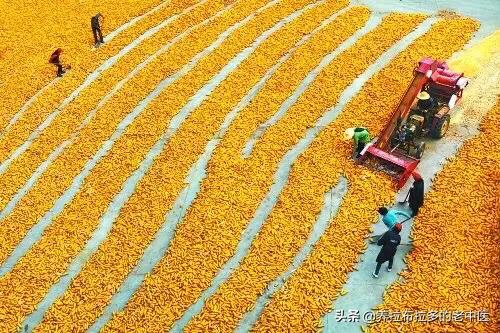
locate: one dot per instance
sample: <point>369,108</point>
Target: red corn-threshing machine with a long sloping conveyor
<point>400,146</point>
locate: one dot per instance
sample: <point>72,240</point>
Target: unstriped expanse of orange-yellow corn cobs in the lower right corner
<point>454,266</point>
